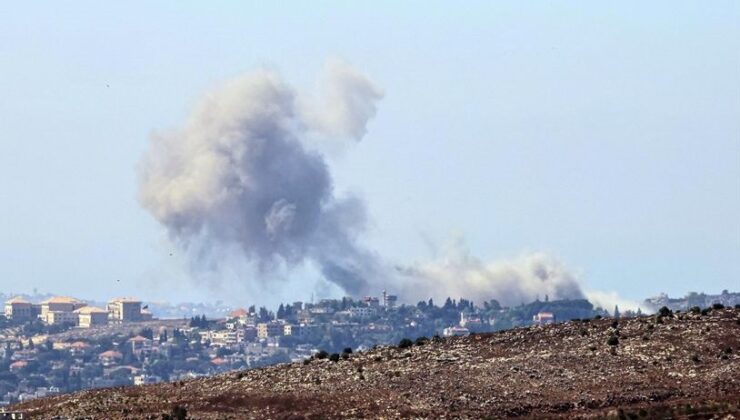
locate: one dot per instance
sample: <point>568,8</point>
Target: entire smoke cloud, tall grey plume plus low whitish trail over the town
<point>239,173</point>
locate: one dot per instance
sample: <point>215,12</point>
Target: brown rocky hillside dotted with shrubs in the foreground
<point>681,366</point>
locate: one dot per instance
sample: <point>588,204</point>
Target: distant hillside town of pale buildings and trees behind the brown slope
<point>62,344</point>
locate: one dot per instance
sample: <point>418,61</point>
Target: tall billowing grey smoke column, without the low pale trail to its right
<point>237,173</point>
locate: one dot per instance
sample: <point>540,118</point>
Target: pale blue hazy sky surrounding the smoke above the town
<point>607,135</point>
